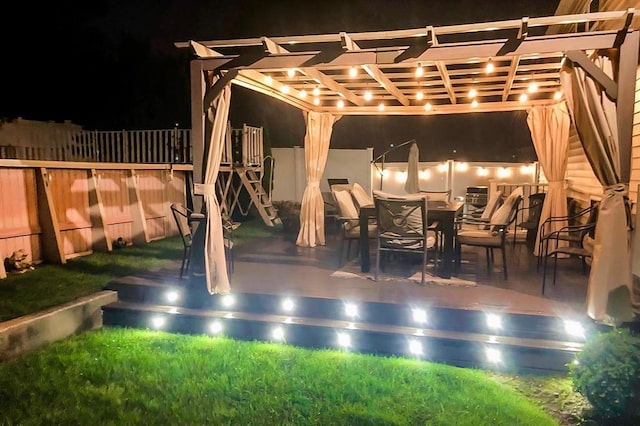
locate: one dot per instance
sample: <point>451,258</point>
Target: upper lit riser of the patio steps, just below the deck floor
<point>439,318</point>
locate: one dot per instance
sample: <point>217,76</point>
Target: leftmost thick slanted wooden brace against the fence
<point>51,239</point>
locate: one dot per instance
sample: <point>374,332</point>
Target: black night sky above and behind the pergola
<point>111,64</point>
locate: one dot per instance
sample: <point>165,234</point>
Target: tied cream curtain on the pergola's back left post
<point>316,150</point>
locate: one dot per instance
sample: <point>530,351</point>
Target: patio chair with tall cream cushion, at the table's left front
<point>349,220</point>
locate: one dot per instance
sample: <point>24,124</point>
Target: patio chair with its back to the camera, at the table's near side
<point>403,227</point>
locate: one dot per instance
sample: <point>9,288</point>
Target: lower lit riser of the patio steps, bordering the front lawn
<point>460,353</point>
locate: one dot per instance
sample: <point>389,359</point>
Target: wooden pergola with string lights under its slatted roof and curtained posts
<point>481,67</point>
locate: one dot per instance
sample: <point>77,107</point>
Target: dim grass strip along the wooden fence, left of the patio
<point>52,285</point>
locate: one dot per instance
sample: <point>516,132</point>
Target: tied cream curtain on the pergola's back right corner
<point>549,126</point>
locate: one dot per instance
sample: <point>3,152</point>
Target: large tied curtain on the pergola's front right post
<point>609,296</point>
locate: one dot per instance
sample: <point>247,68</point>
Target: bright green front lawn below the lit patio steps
<point>119,376</point>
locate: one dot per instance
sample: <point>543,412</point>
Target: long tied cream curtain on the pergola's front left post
<point>214,257</point>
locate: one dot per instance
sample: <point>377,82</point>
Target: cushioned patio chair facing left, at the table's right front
<point>488,235</point>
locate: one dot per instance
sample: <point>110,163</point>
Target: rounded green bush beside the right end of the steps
<point>607,373</point>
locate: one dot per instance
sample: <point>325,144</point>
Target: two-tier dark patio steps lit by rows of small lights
<point>460,337</point>
